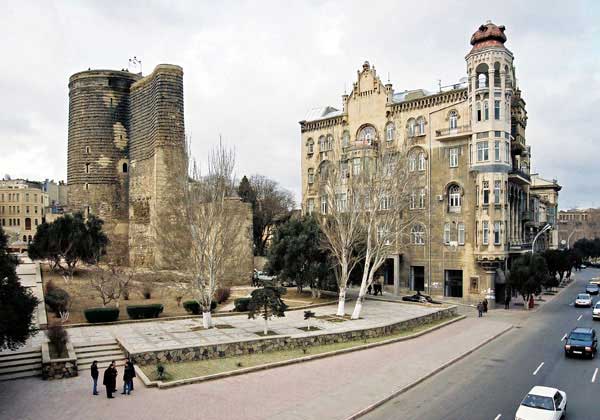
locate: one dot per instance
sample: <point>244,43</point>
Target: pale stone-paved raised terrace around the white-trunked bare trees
<point>159,335</point>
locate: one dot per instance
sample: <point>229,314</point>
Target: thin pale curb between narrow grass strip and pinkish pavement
<point>161,384</point>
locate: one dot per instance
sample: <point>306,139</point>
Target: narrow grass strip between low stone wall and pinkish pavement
<point>185,370</point>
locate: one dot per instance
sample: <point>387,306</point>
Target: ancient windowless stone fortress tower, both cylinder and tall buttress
<point>126,164</point>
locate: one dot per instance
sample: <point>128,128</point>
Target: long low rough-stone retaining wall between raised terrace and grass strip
<point>284,342</point>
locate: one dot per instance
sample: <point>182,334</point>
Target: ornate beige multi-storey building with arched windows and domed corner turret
<point>472,205</point>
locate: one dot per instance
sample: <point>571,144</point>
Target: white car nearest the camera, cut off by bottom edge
<point>543,403</point>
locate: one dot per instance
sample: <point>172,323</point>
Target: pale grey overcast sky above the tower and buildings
<point>253,69</point>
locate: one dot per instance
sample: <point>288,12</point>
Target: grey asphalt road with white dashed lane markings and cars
<point>490,383</point>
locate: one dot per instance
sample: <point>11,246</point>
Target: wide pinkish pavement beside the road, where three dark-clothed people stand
<point>331,388</point>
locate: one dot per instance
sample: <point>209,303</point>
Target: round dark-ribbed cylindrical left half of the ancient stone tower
<point>98,147</point>
